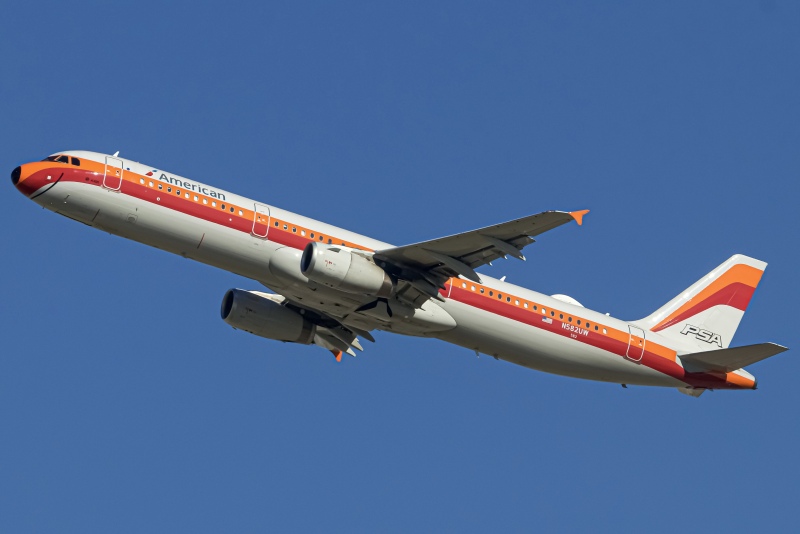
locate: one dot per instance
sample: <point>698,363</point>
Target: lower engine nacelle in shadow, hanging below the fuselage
<point>262,314</point>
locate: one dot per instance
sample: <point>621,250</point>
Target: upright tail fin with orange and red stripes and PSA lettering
<point>705,316</point>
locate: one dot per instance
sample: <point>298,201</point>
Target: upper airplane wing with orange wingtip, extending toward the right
<point>429,264</point>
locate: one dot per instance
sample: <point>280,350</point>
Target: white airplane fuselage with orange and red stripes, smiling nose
<point>265,243</point>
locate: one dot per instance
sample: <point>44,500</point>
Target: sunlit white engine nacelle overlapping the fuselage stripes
<point>343,270</point>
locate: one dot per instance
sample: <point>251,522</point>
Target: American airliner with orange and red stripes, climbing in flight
<point>332,286</point>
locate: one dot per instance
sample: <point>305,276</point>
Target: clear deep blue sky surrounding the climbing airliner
<point>127,405</point>
